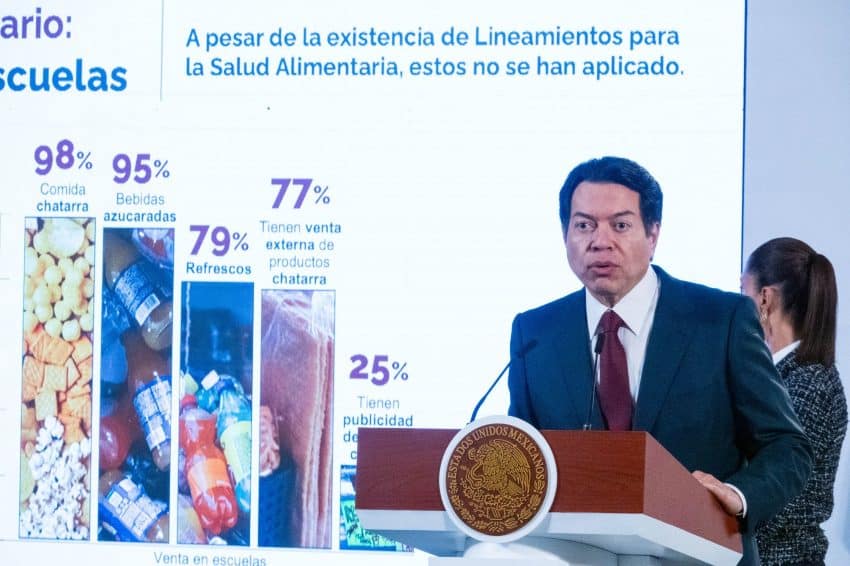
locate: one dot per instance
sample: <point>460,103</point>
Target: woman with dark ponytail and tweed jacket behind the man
<point>796,296</point>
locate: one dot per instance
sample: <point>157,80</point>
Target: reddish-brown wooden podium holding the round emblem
<point>617,491</point>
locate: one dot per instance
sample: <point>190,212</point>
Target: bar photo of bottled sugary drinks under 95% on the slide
<point>135,384</point>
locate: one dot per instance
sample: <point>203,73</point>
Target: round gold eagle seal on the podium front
<point>496,479</point>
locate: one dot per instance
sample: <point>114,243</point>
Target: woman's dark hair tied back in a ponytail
<point>807,288</point>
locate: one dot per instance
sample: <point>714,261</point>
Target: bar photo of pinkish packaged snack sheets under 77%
<point>296,399</point>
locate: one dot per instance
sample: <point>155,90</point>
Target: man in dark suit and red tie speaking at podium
<point>682,361</point>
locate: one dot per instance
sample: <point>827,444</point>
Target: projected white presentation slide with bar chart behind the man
<point>236,232</point>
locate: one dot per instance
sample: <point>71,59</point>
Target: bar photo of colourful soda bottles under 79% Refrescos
<point>215,413</point>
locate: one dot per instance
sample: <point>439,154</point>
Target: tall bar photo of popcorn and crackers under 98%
<point>55,485</point>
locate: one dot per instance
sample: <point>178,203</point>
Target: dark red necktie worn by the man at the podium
<point>614,394</point>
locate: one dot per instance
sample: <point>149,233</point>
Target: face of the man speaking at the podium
<point>607,246</point>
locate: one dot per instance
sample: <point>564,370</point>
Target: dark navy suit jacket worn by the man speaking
<point>709,392</point>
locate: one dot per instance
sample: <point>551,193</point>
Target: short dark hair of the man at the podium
<point>615,170</point>
